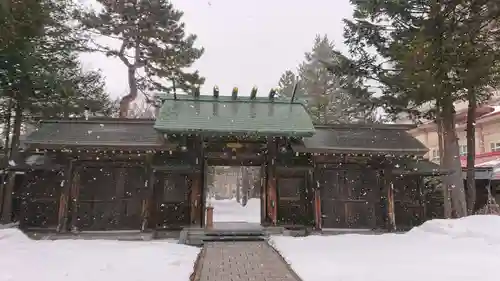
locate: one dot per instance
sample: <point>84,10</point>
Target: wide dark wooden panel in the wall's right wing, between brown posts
<point>349,198</point>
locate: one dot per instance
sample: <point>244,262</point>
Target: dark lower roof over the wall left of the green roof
<point>105,132</point>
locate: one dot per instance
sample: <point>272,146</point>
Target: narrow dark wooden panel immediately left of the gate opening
<point>171,196</point>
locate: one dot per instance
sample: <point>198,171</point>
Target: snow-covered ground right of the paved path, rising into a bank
<point>466,249</point>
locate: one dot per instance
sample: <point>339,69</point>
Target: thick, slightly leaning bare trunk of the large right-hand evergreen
<point>452,160</point>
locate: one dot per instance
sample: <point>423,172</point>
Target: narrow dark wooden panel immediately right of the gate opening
<point>291,192</point>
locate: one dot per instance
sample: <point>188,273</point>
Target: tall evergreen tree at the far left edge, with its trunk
<point>37,43</point>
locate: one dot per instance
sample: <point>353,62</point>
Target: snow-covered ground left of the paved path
<point>23,259</point>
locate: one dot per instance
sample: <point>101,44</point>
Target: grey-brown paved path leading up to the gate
<point>243,261</point>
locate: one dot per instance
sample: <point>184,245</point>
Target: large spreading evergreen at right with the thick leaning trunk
<point>420,56</point>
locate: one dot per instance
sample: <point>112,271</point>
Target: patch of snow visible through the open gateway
<point>229,210</point>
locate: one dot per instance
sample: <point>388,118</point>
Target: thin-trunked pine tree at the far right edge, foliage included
<point>478,69</point>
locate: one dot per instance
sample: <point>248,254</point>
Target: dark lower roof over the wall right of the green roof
<point>362,138</point>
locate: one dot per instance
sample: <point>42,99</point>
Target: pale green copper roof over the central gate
<point>225,115</point>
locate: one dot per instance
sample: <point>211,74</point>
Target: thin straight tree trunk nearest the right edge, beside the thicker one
<point>471,151</point>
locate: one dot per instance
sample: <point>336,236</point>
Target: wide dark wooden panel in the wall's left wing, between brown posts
<point>110,198</point>
